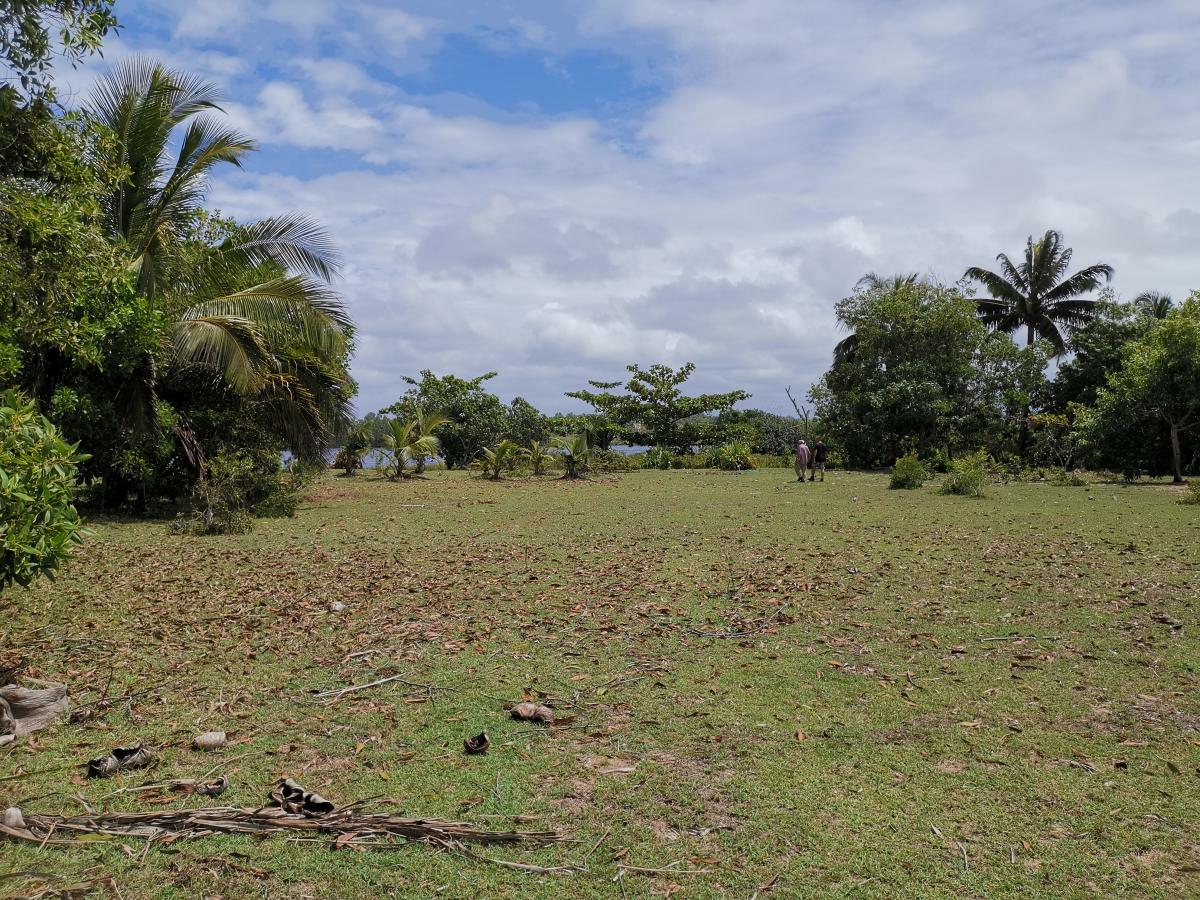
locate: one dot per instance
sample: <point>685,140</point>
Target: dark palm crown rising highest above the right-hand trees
<point>1037,295</point>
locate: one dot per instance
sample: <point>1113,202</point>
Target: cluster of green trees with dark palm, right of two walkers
<point>932,369</point>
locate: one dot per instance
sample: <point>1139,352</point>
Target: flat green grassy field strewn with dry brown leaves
<point>827,691</point>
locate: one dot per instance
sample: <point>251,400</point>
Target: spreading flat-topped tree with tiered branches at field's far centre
<point>655,410</point>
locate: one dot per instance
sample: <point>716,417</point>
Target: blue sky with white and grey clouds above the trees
<point>556,189</point>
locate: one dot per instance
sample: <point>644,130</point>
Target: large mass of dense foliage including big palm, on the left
<point>158,334</point>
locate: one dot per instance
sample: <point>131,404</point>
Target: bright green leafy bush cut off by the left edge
<point>39,524</point>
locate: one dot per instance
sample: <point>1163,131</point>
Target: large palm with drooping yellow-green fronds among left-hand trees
<point>256,311</point>
